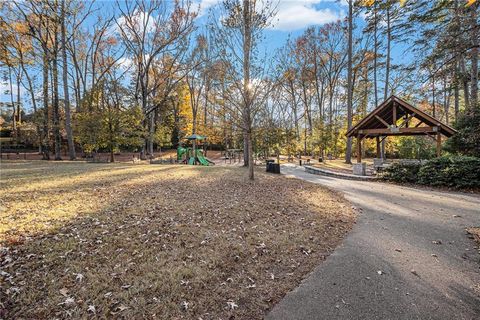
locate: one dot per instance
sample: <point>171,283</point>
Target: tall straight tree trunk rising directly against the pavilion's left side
<point>348,153</point>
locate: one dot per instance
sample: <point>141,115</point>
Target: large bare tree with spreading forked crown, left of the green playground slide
<point>148,30</point>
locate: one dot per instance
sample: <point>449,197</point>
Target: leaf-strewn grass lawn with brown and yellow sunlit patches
<point>151,241</point>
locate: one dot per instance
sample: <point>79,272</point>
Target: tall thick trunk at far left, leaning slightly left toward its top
<point>68,121</point>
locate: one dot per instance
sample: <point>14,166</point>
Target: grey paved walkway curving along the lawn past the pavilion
<point>408,257</point>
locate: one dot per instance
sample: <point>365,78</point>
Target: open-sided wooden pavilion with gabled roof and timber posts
<point>396,117</point>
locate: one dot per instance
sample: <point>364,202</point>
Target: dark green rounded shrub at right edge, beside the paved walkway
<point>451,171</point>
